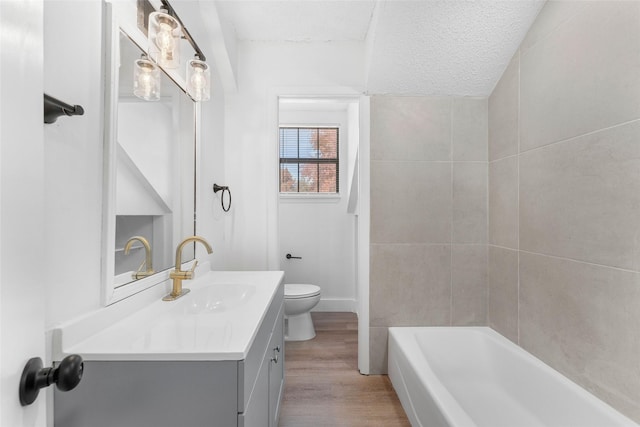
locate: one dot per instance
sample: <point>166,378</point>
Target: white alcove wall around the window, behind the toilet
<point>319,229</point>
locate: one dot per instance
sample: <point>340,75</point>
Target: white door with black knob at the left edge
<point>22,300</point>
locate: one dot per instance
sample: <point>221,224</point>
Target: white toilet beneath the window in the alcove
<point>299,299</point>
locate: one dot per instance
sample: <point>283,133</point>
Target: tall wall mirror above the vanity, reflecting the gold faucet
<point>151,176</point>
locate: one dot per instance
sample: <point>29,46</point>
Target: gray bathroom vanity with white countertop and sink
<point>215,357</point>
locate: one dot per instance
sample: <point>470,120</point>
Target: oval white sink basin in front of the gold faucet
<point>218,298</point>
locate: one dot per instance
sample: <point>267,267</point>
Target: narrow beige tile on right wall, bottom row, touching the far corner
<point>503,292</point>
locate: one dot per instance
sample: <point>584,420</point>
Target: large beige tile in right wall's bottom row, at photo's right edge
<point>584,320</point>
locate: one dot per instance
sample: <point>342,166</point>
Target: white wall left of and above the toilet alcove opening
<point>264,71</point>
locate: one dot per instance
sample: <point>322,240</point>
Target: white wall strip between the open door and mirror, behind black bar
<point>73,159</point>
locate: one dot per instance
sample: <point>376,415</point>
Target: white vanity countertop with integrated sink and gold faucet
<point>217,320</point>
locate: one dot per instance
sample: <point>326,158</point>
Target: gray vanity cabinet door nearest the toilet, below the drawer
<point>276,371</point>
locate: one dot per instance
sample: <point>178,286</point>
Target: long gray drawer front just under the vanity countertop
<point>249,368</point>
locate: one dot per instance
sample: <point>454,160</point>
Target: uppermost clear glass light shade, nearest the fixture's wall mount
<point>165,33</point>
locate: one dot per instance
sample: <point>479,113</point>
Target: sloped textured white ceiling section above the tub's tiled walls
<point>446,47</point>
